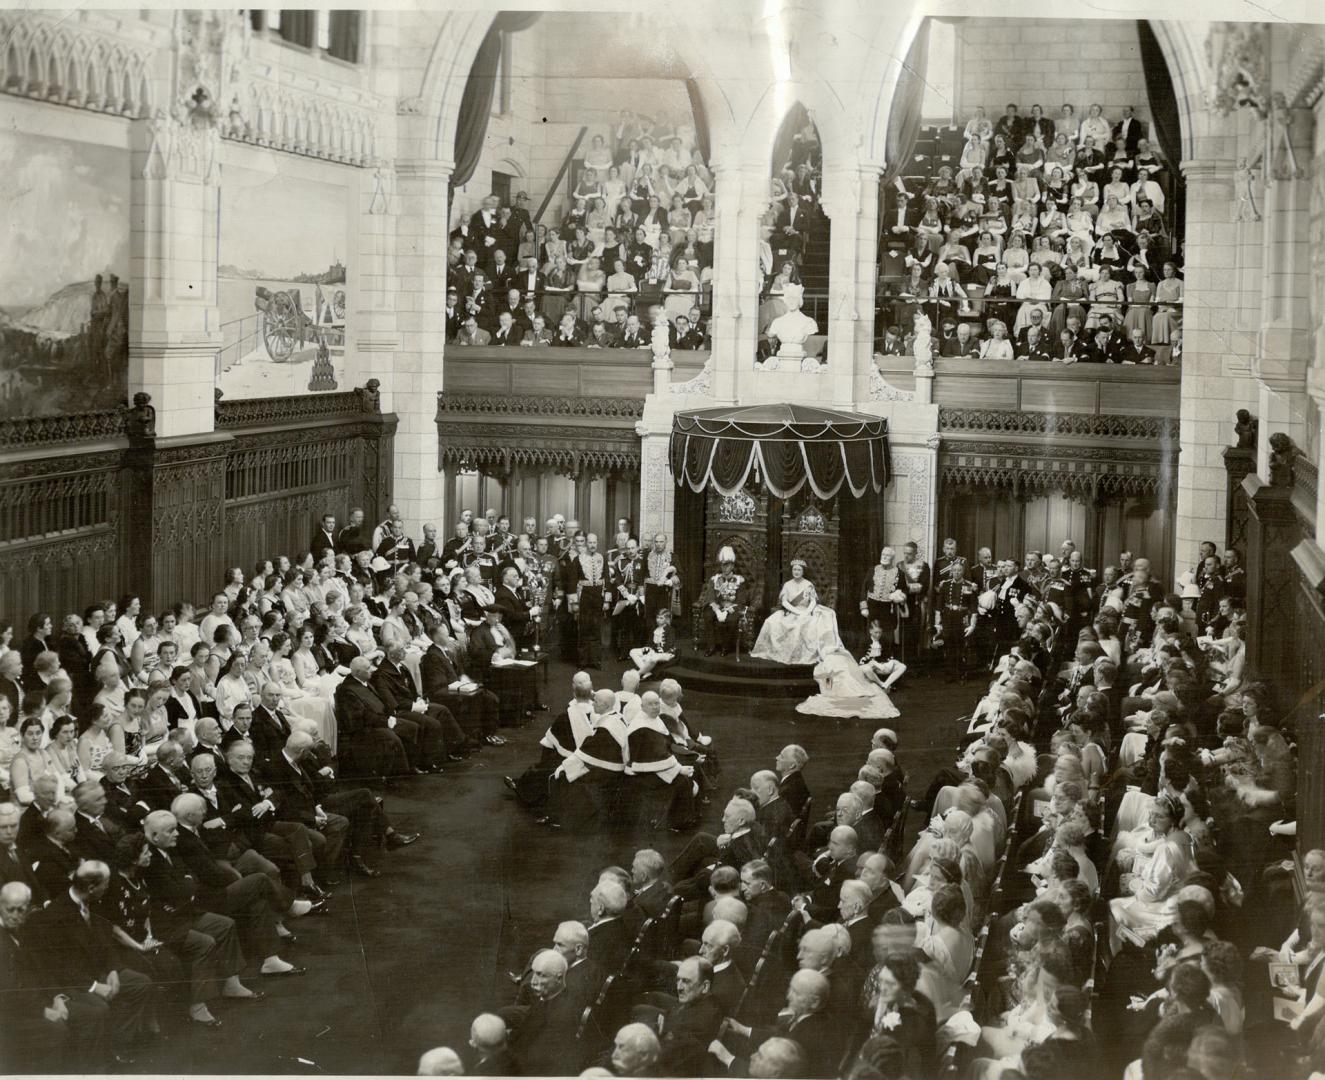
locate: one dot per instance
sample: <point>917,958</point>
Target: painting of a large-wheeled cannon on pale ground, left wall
<point>282,284</point>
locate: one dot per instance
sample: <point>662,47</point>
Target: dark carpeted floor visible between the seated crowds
<point>406,961</point>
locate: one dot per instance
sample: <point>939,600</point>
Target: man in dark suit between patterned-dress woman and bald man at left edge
<point>74,948</point>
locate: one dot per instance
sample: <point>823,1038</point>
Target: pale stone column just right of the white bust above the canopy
<point>851,202</point>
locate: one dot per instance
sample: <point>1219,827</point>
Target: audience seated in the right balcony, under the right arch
<point>1062,218</point>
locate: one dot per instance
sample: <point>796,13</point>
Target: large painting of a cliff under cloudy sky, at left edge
<point>64,287</point>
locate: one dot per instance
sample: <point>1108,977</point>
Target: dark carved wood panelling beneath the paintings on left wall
<point>97,506</point>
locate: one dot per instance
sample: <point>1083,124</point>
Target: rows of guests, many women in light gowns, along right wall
<point>1155,777</point>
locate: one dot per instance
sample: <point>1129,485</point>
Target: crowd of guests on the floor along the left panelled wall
<point>176,790</point>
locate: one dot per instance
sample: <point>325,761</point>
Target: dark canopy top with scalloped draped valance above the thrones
<point>782,446</point>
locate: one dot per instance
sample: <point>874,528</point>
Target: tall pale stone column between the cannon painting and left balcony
<point>415,376</point>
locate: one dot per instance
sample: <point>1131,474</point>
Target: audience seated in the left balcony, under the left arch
<point>639,233</point>
